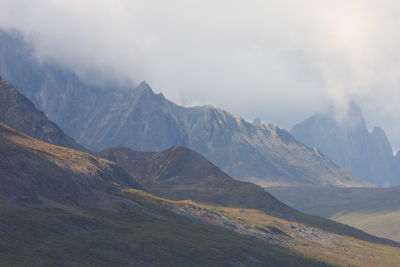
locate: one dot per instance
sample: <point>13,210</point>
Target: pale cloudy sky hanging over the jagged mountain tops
<point>279,61</point>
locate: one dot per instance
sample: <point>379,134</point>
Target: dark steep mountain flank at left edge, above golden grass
<point>17,111</point>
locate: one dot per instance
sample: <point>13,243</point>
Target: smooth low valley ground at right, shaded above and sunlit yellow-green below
<point>374,210</point>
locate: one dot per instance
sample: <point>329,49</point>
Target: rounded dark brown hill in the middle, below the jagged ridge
<point>180,173</point>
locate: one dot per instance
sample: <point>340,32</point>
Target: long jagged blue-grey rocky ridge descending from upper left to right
<point>138,118</point>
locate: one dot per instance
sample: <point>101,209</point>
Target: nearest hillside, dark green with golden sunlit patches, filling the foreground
<point>105,220</point>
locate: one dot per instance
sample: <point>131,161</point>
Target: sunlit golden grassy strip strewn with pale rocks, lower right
<point>334,249</point>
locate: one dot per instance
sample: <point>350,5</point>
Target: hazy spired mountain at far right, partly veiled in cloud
<point>349,144</point>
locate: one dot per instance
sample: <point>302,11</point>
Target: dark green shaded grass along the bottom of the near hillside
<point>54,237</point>
